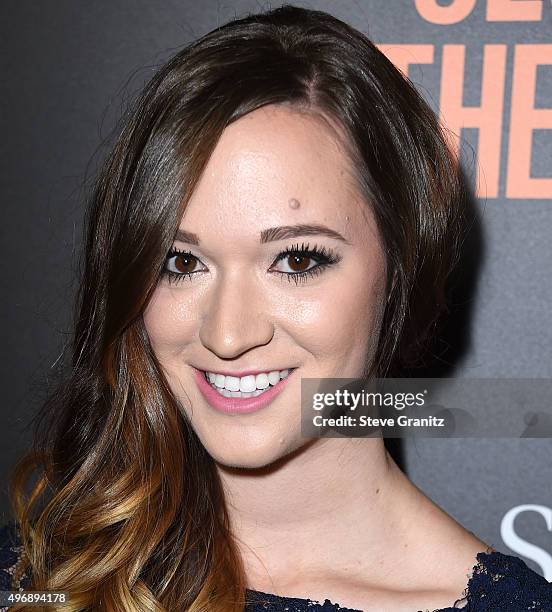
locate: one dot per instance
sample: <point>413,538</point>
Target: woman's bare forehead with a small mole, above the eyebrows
<point>275,166</point>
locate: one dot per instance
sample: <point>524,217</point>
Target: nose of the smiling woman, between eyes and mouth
<point>236,317</point>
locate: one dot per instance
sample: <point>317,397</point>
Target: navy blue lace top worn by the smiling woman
<point>498,583</point>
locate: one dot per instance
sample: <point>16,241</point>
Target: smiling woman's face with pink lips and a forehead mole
<point>242,305</point>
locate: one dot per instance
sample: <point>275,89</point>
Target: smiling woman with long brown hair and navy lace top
<point>281,204</point>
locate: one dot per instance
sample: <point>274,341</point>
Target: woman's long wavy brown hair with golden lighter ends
<point>119,504</point>
